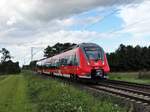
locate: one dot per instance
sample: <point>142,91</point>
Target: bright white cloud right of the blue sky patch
<point>136,19</point>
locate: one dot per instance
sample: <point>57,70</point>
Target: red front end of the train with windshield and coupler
<point>95,64</point>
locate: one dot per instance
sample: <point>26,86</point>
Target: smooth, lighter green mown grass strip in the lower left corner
<point>13,95</point>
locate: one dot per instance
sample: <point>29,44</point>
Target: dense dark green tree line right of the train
<point>129,58</point>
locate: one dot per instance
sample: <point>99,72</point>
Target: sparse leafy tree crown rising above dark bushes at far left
<point>5,55</point>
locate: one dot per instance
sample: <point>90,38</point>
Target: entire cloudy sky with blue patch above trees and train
<point>26,24</point>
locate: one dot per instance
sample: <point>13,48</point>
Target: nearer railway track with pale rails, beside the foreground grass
<point>127,93</point>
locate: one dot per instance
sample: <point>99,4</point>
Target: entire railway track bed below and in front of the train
<point>138,93</point>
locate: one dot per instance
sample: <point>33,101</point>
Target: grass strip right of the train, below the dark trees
<point>131,77</point>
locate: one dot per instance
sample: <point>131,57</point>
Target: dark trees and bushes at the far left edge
<point>7,66</point>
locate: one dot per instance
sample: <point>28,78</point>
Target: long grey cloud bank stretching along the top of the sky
<point>45,10</point>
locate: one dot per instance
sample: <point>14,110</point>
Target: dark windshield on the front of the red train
<point>93,53</point>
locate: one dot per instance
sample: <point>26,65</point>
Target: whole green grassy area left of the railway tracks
<point>31,93</point>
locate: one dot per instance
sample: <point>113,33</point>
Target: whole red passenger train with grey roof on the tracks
<point>86,60</point>
